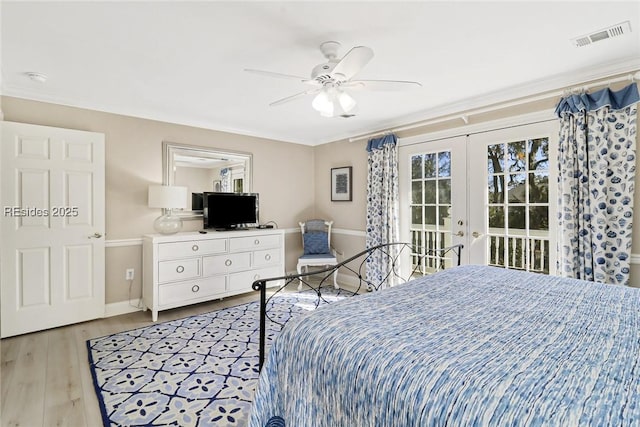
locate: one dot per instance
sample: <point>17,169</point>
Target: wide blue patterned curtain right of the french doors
<point>597,164</point>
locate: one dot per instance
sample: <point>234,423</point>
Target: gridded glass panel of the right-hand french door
<point>518,224</point>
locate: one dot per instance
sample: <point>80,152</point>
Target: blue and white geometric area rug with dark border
<point>197,371</point>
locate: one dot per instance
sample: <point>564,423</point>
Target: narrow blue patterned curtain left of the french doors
<point>382,206</point>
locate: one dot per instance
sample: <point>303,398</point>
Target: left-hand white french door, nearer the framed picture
<point>433,200</point>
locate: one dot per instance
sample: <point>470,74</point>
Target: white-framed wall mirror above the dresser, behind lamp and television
<point>203,169</point>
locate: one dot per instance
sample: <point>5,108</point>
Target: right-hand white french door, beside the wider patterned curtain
<point>513,197</point>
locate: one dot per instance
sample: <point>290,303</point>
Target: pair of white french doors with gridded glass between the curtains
<point>489,191</point>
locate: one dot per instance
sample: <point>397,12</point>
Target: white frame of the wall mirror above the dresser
<point>170,148</point>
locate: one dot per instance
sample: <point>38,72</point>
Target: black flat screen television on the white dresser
<point>228,211</point>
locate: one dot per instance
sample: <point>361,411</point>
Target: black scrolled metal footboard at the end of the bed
<point>356,266</point>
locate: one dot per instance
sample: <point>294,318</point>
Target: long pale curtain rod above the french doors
<point>465,115</point>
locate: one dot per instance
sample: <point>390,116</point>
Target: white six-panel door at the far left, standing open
<point>52,250</point>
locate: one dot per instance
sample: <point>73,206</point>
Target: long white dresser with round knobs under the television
<point>187,268</point>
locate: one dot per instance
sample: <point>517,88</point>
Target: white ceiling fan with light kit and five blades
<point>331,80</point>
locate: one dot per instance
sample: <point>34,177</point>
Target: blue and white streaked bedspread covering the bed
<point>470,346</point>
